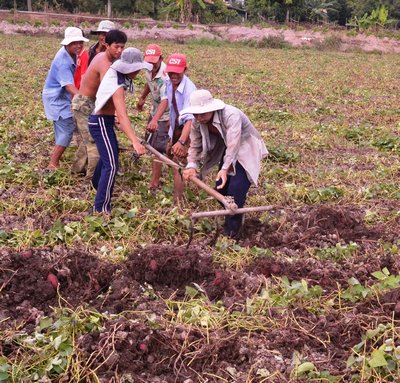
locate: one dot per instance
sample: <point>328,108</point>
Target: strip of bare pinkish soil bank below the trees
<point>334,39</point>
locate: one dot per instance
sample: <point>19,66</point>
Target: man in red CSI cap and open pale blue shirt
<point>179,88</point>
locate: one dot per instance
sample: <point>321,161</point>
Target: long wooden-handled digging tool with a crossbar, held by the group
<point>227,201</point>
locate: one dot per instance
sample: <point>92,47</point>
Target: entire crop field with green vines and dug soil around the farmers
<point>309,293</point>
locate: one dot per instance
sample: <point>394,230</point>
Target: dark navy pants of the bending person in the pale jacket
<point>236,186</point>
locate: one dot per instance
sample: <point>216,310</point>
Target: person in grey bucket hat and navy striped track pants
<point>110,101</point>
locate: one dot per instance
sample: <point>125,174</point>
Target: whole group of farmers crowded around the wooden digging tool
<point>84,96</point>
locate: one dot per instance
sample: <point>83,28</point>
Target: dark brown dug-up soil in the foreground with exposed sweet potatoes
<point>130,345</point>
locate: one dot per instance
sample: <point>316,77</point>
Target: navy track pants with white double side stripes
<point>101,128</point>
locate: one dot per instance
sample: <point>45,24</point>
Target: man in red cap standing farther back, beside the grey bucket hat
<point>158,124</point>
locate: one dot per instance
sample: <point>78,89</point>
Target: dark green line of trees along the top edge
<point>357,13</point>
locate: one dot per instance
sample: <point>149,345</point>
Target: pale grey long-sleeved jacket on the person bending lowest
<point>237,134</point>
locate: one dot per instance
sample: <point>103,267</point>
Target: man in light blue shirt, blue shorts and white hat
<point>58,91</point>
